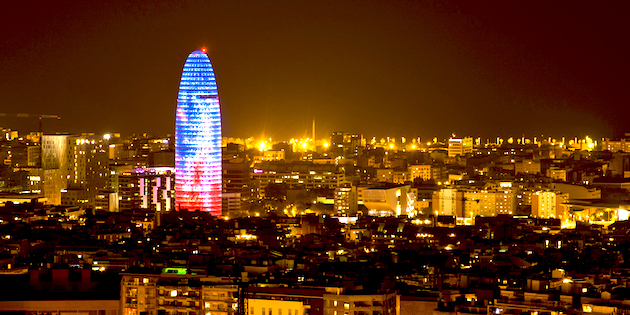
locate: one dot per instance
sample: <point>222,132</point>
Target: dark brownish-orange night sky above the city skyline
<point>381,68</point>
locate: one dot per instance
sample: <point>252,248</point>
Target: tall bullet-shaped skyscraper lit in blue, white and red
<point>198,138</point>
